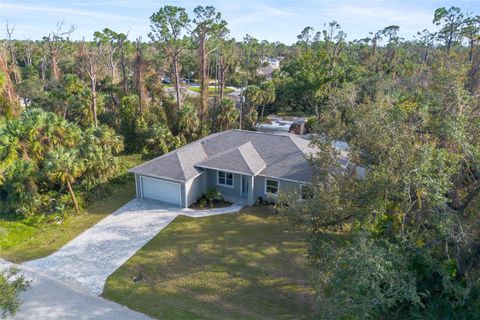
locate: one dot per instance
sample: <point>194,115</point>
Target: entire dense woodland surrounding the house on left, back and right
<point>409,110</point>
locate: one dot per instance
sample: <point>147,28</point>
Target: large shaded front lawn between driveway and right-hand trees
<point>249,265</point>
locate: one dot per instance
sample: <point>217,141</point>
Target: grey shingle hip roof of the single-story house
<point>247,152</point>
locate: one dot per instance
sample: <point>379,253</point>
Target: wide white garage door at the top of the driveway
<point>161,190</point>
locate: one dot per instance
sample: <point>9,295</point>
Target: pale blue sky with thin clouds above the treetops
<point>264,19</point>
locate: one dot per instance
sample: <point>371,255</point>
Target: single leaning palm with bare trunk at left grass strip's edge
<point>63,166</point>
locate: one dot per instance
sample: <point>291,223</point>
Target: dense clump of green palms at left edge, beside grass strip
<point>37,169</point>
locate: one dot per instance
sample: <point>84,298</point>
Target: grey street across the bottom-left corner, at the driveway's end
<point>50,299</point>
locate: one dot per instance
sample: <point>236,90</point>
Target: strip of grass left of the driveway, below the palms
<point>32,238</point>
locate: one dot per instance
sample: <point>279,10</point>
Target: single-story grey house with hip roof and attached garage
<point>246,165</point>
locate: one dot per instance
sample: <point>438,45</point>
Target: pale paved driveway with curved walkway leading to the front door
<point>89,259</point>
